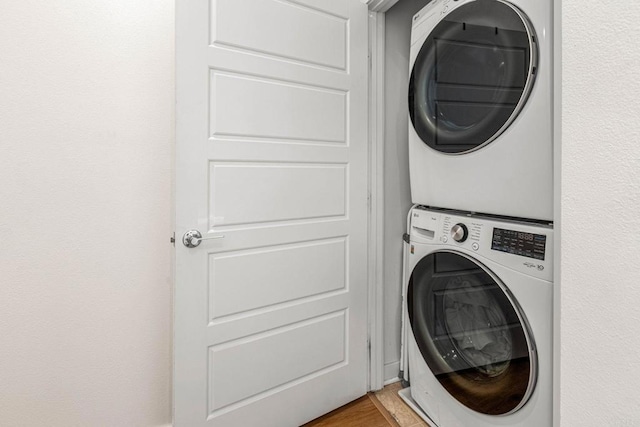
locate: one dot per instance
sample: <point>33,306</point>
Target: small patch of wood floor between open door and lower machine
<point>381,409</point>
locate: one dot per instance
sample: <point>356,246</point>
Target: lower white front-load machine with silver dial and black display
<point>479,304</point>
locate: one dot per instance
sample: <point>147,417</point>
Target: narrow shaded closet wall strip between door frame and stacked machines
<point>396,171</point>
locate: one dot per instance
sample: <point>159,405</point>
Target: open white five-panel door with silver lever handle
<point>271,168</point>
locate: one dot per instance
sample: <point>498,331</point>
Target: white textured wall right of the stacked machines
<point>600,351</point>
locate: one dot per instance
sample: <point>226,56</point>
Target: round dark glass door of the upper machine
<point>472,76</point>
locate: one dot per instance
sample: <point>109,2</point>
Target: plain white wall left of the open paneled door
<point>86,130</point>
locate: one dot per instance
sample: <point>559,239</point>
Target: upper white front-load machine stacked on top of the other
<point>480,107</point>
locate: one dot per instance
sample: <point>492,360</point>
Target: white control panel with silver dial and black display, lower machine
<point>522,246</point>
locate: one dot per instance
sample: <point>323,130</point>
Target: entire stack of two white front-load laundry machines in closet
<point>478,291</point>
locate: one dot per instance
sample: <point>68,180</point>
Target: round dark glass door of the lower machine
<point>471,333</point>
